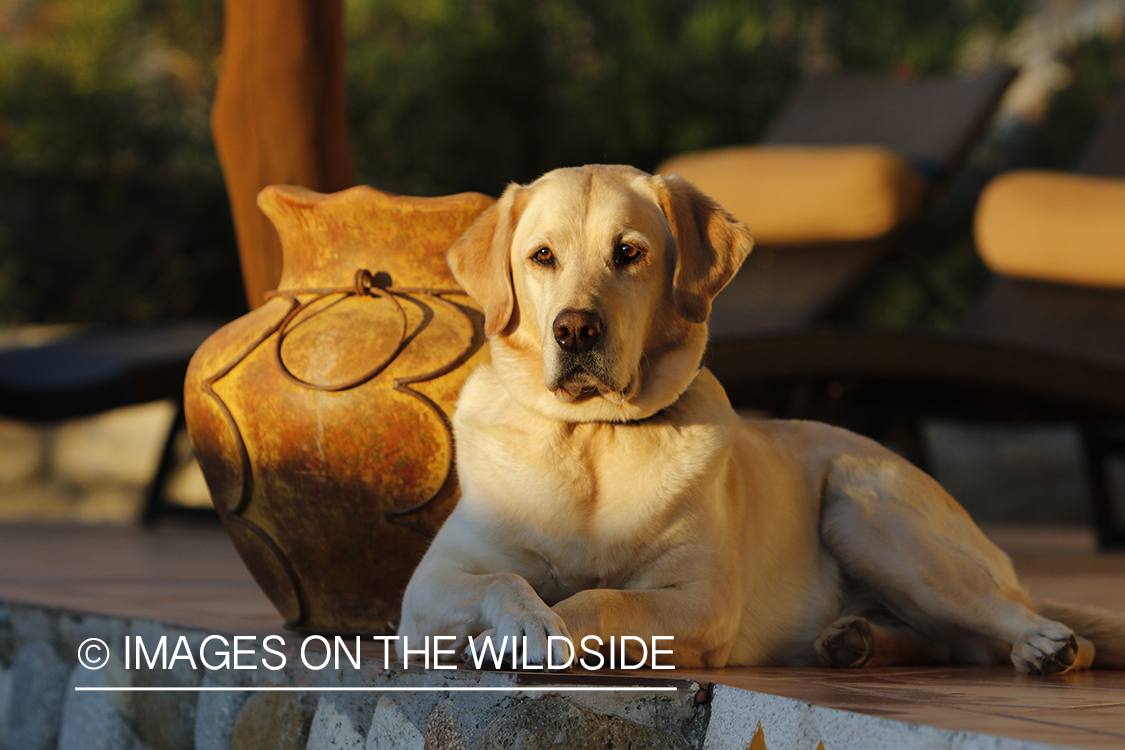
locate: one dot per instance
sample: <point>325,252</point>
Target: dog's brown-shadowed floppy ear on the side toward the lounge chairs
<point>710,246</point>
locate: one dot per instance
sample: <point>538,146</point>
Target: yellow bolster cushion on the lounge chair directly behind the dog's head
<point>800,195</point>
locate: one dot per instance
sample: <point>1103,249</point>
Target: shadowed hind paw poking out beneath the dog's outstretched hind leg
<point>859,643</point>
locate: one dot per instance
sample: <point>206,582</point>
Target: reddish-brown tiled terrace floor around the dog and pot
<point>192,576</point>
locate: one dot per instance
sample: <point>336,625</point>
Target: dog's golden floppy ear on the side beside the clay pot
<point>480,259</point>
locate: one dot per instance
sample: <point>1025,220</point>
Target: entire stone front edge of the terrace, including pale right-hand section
<point>41,709</point>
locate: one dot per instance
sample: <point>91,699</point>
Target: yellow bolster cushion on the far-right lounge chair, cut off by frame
<point>1055,227</point>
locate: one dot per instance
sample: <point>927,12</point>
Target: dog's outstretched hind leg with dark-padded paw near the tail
<point>895,530</point>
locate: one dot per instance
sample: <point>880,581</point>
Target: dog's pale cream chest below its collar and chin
<point>586,505</point>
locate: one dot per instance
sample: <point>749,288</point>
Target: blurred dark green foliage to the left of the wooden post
<point>112,203</point>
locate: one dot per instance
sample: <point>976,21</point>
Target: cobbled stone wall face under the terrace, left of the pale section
<point>41,710</point>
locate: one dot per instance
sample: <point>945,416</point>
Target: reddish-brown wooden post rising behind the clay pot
<point>280,118</point>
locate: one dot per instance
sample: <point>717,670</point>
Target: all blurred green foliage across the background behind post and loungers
<point>112,203</point>
